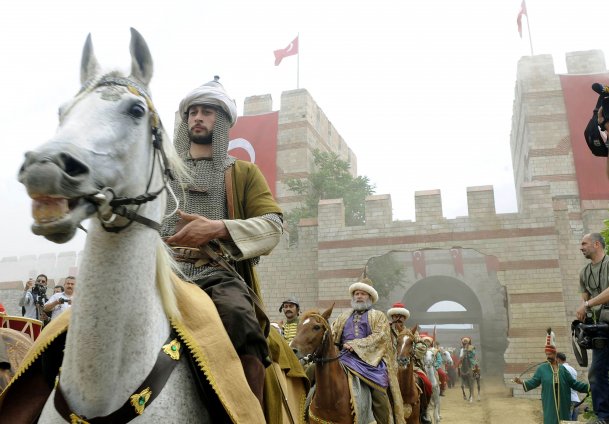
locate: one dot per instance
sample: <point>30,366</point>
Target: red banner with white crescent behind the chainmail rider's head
<point>254,139</point>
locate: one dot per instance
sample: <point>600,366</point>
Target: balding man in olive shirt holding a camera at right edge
<point>594,286</point>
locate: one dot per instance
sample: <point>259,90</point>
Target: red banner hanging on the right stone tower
<point>579,102</point>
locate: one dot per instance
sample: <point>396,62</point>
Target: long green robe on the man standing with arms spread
<point>552,404</point>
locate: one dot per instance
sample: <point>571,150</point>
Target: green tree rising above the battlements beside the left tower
<point>330,179</point>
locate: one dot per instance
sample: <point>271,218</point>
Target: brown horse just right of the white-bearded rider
<point>407,379</point>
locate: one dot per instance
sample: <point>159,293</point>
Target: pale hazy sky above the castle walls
<point>422,92</point>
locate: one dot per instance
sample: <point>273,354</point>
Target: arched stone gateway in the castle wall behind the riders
<point>421,279</point>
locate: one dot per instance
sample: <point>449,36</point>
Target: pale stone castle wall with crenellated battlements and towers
<point>520,269</point>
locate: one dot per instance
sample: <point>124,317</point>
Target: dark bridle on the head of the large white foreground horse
<point>108,205</point>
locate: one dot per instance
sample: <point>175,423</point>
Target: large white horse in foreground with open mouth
<point>109,137</point>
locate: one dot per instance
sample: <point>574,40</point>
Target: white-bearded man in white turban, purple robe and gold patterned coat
<point>364,335</point>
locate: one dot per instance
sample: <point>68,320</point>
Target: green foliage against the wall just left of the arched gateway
<point>387,273</point>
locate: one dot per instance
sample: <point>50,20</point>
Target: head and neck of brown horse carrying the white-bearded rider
<point>331,401</point>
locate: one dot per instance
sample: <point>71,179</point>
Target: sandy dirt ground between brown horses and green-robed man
<point>496,406</point>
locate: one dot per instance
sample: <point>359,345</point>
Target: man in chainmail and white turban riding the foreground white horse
<point>230,212</point>
